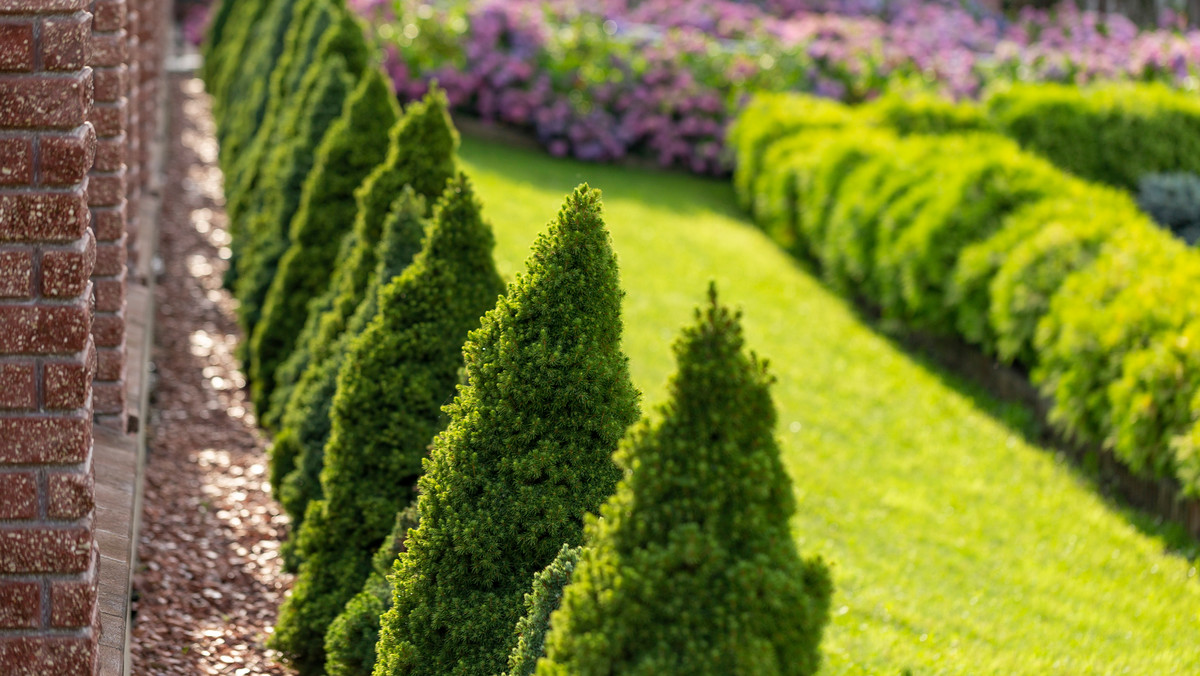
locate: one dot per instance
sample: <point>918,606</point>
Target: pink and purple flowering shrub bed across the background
<point>663,79</point>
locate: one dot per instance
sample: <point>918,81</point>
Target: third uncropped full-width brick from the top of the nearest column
<point>45,330</point>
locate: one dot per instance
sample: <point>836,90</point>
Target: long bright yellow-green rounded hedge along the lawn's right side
<point>969,235</point>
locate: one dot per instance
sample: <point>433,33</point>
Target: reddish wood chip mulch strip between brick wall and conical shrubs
<point>209,581</point>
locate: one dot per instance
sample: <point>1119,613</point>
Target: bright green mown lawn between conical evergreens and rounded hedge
<point>957,547</point>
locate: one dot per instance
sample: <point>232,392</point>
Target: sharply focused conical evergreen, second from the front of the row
<point>527,453</point>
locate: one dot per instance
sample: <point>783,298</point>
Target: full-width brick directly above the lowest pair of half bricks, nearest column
<point>45,549</point>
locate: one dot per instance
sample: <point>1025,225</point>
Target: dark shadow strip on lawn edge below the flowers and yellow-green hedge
<point>1004,393</point>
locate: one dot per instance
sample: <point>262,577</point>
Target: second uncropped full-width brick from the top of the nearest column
<point>44,217</point>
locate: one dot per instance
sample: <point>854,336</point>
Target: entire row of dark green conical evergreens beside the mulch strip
<point>369,290</point>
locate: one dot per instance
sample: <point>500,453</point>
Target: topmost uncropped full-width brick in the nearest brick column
<point>45,101</point>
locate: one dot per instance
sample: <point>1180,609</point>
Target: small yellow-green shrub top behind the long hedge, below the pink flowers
<point>925,113</point>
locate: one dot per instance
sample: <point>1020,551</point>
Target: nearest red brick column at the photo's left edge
<point>49,559</point>
